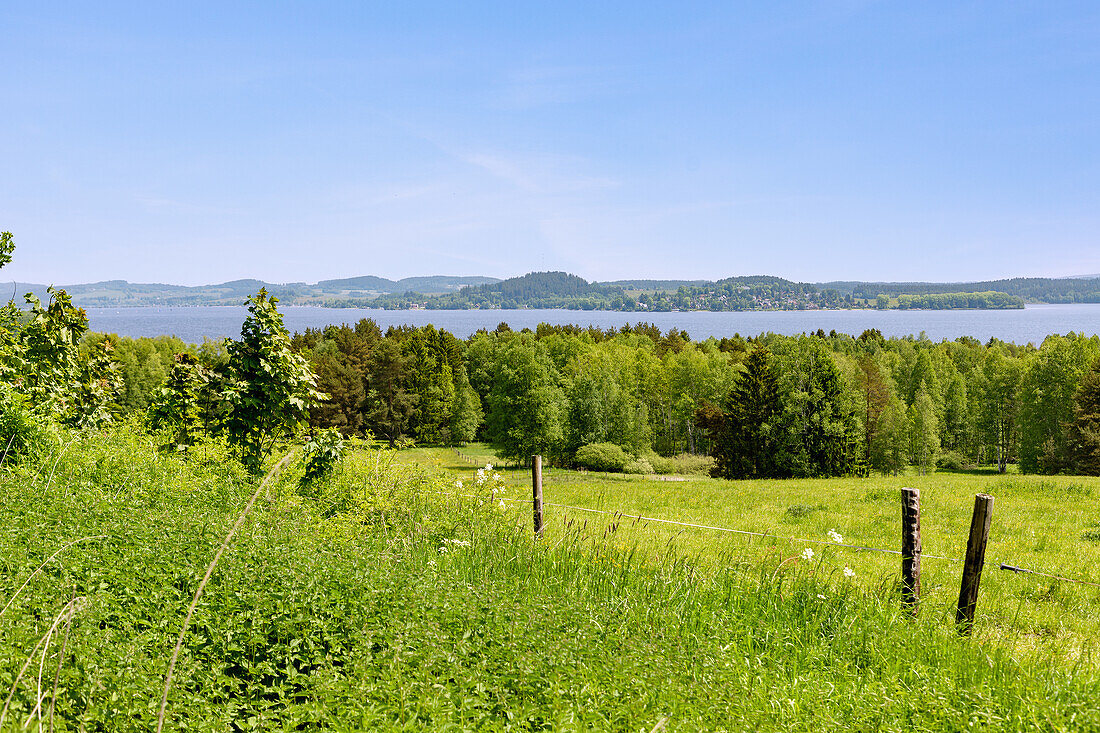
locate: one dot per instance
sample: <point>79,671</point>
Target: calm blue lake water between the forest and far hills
<point>1032,324</point>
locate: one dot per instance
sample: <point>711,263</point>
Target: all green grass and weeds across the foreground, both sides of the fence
<point>378,599</point>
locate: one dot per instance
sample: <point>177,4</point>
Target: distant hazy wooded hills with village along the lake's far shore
<point>559,290</point>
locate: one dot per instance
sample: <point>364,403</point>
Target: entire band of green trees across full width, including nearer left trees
<point>812,406</point>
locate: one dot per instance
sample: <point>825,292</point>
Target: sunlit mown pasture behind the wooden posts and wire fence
<point>1049,524</point>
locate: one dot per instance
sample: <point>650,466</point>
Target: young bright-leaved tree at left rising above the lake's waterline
<point>271,388</point>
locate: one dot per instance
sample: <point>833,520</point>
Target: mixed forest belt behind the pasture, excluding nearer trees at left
<point>771,406</point>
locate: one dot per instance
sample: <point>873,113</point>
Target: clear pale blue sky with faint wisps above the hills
<point>202,143</point>
